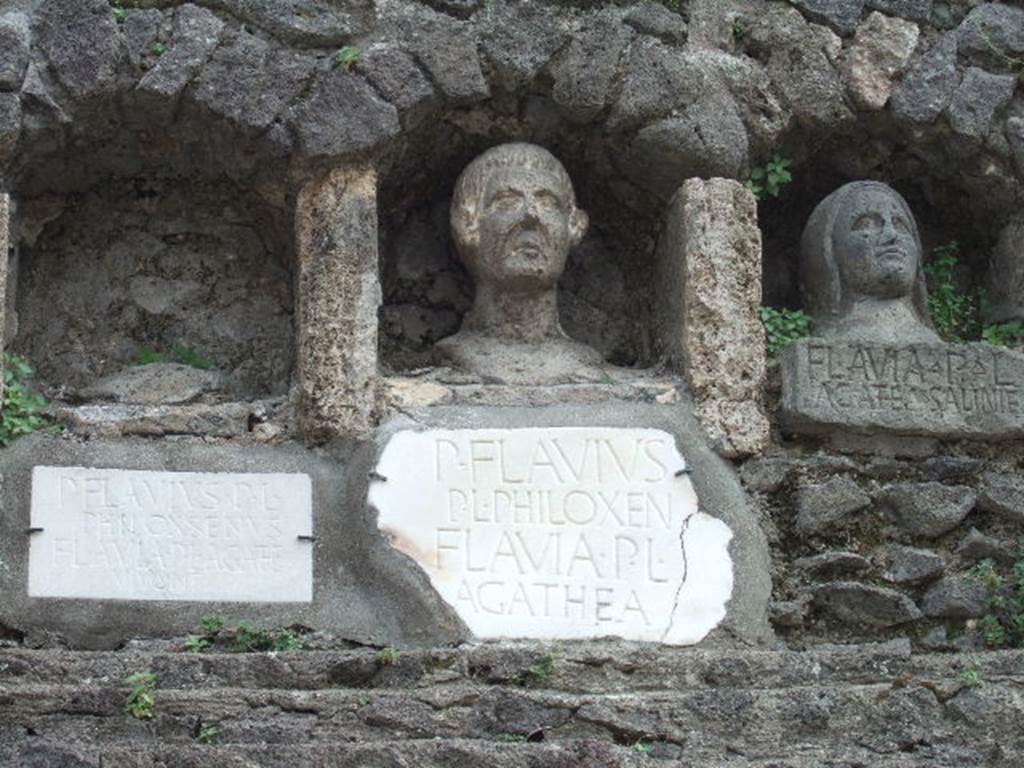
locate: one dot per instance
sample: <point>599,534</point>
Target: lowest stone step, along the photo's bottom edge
<point>468,754</point>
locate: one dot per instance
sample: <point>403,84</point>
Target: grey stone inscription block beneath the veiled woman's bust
<point>962,391</point>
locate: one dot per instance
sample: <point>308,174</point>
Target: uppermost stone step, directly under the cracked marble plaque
<point>589,668</point>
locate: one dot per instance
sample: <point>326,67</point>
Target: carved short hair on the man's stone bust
<point>471,187</point>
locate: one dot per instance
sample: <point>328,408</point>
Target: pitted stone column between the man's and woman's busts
<point>708,313</point>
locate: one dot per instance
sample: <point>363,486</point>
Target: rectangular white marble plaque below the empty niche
<point>129,535</point>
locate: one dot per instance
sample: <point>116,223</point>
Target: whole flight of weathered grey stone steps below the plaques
<point>723,706</point>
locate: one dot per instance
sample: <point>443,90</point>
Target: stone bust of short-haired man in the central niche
<point>515,221</point>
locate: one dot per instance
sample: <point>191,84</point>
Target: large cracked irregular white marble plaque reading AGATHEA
<point>558,533</point>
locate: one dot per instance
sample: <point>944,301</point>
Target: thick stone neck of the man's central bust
<point>517,316</point>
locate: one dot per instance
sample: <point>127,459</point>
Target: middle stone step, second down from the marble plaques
<point>885,717</point>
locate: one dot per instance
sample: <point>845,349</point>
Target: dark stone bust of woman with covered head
<point>862,271</point>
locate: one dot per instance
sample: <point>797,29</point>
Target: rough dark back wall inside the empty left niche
<point>142,267</point>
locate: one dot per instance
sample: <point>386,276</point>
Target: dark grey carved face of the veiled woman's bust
<point>875,248</point>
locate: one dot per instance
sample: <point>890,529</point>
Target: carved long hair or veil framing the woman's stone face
<point>822,284</point>
